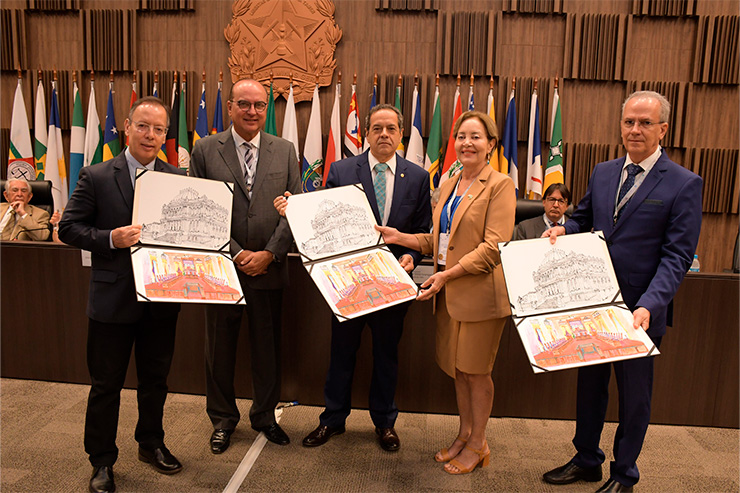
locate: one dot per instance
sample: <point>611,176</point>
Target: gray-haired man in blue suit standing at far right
<point>649,209</point>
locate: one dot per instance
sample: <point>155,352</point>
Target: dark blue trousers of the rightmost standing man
<point>635,386</point>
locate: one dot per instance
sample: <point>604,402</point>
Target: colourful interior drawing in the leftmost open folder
<point>188,276</point>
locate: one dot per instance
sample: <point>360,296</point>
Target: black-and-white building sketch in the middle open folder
<point>338,226</point>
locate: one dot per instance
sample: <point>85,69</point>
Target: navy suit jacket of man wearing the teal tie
<point>411,210</point>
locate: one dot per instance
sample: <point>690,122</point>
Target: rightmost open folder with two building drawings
<point>566,304</point>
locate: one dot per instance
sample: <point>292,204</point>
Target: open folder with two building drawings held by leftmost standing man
<point>183,255</point>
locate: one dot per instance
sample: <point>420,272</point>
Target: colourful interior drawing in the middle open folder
<point>363,282</point>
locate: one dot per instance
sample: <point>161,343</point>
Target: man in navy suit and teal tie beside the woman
<point>404,204</point>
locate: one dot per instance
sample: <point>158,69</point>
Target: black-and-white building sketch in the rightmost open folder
<point>567,279</point>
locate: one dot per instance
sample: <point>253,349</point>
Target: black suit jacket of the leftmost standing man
<point>102,201</point>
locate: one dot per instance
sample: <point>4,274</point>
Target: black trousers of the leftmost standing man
<point>108,353</point>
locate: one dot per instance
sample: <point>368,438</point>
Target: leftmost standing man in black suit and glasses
<point>98,219</point>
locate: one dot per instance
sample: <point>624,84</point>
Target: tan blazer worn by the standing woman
<point>484,218</point>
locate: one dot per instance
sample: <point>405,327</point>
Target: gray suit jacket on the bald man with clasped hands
<point>255,224</point>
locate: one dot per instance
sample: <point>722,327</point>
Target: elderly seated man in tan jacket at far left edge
<point>20,220</point>
